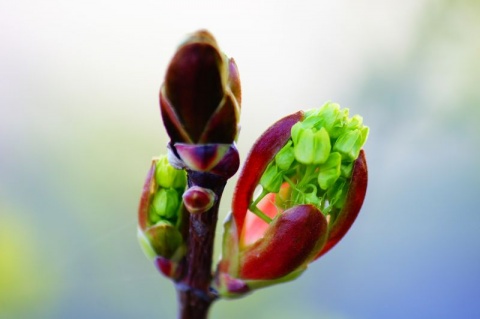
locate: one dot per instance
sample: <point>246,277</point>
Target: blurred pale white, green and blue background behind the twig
<point>79,123</point>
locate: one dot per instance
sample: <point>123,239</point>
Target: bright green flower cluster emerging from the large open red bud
<point>317,161</point>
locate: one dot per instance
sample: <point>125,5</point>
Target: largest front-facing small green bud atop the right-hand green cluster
<point>312,147</point>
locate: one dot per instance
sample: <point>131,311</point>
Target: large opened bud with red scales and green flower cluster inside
<point>306,206</point>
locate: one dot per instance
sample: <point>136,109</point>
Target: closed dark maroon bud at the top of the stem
<point>200,98</point>
